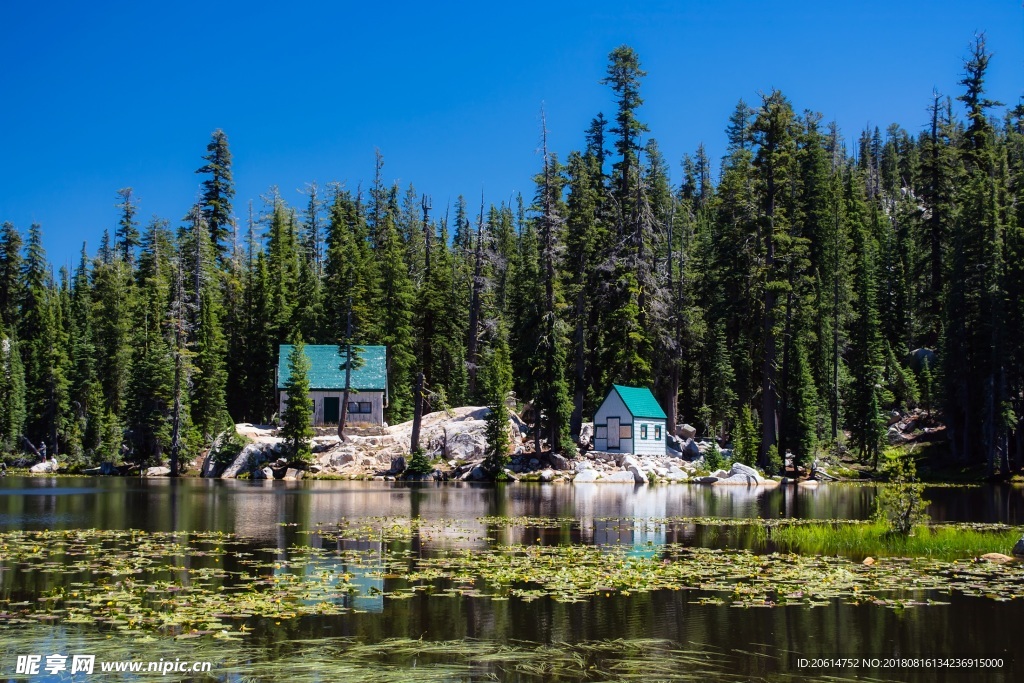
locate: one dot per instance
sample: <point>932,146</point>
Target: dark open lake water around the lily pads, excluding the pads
<point>645,636</point>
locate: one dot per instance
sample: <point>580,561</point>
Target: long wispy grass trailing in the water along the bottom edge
<point>408,660</point>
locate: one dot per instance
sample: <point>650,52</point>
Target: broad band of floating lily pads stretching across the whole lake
<point>217,584</point>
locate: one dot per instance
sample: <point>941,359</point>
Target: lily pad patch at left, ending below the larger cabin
<point>178,583</point>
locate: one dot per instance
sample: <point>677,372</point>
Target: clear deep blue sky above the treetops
<point>100,96</point>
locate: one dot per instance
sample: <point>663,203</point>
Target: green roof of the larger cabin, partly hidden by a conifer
<point>327,371</point>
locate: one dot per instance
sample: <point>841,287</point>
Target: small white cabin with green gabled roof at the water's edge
<point>630,420</point>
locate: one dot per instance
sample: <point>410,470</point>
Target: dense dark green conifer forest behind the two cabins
<point>782,297</point>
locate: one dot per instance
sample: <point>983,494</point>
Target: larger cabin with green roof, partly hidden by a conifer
<point>368,394</point>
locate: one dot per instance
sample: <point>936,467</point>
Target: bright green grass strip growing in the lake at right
<point>936,541</point>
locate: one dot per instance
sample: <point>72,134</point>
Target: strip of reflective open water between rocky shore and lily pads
<point>260,509</point>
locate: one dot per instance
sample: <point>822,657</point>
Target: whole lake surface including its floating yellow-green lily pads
<point>379,582</point>
